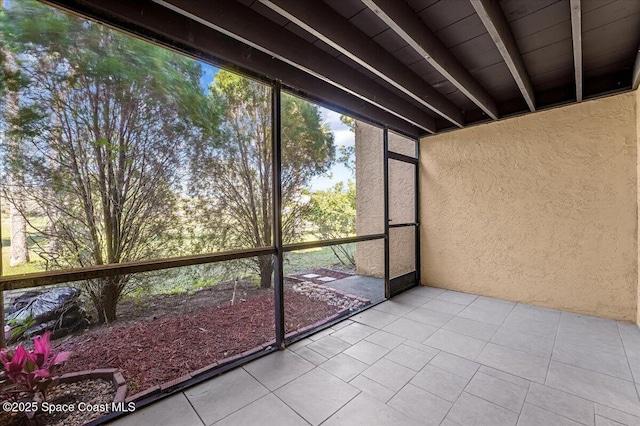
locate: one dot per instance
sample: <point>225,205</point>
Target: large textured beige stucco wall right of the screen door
<point>539,209</point>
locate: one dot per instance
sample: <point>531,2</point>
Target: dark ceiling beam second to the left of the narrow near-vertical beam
<point>399,16</point>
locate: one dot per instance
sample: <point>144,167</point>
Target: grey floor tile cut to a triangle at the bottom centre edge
<point>365,410</point>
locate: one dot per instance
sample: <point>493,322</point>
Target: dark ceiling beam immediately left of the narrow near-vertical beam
<point>492,17</point>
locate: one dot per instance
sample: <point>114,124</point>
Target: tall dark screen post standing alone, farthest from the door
<point>276,173</point>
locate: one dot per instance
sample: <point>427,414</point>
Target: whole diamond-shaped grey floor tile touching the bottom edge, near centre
<point>316,395</point>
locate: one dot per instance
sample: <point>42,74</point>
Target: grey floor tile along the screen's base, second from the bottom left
<point>217,398</point>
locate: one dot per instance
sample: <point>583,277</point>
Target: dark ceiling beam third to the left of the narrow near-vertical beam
<point>323,22</point>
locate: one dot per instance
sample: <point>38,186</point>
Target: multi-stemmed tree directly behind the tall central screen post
<point>233,179</point>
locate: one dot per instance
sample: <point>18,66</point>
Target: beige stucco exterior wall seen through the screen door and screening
<point>370,202</point>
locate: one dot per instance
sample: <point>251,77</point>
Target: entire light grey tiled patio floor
<point>430,357</point>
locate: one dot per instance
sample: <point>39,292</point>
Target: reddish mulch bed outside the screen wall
<point>154,352</point>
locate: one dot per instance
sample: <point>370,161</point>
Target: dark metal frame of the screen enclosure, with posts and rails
<point>277,249</point>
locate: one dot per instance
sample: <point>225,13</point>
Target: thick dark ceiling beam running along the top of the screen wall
<point>153,21</point>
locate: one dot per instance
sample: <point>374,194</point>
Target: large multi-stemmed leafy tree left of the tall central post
<point>109,119</point>
